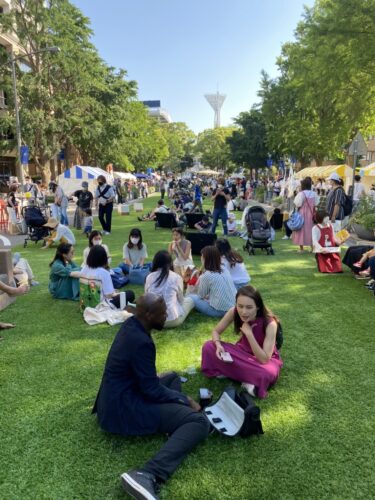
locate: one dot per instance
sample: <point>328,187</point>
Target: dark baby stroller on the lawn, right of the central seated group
<point>258,231</point>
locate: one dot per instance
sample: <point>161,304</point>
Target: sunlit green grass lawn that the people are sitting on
<point>319,419</point>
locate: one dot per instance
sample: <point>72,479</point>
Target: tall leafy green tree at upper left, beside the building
<point>66,97</point>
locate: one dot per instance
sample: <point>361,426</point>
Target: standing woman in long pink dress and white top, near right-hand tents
<point>306,201</point>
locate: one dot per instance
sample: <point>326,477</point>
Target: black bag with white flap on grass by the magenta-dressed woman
<point>235,413</point>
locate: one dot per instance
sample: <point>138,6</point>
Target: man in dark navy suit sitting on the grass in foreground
<point>134,401</point>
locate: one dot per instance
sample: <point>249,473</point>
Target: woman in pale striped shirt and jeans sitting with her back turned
<point>216,291</point>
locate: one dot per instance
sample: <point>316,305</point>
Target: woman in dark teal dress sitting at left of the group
<point>64,274</point>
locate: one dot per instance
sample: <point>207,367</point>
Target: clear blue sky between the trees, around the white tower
<point>179,50</point>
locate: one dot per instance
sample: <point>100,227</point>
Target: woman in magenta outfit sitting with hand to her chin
<point>255,360</point>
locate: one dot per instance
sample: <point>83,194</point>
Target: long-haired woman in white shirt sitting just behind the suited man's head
<point>165,282</point>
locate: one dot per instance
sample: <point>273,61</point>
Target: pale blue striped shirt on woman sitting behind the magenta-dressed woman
<point>219,289</point>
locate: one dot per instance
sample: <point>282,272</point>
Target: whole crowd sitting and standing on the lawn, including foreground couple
<point>132,398</point>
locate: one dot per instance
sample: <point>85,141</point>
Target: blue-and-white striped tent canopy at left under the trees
<point>71,180</point>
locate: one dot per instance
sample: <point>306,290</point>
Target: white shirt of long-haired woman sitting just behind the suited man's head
<point>171,290</point>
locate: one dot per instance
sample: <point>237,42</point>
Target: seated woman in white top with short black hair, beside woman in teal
<point>96,268</point>
